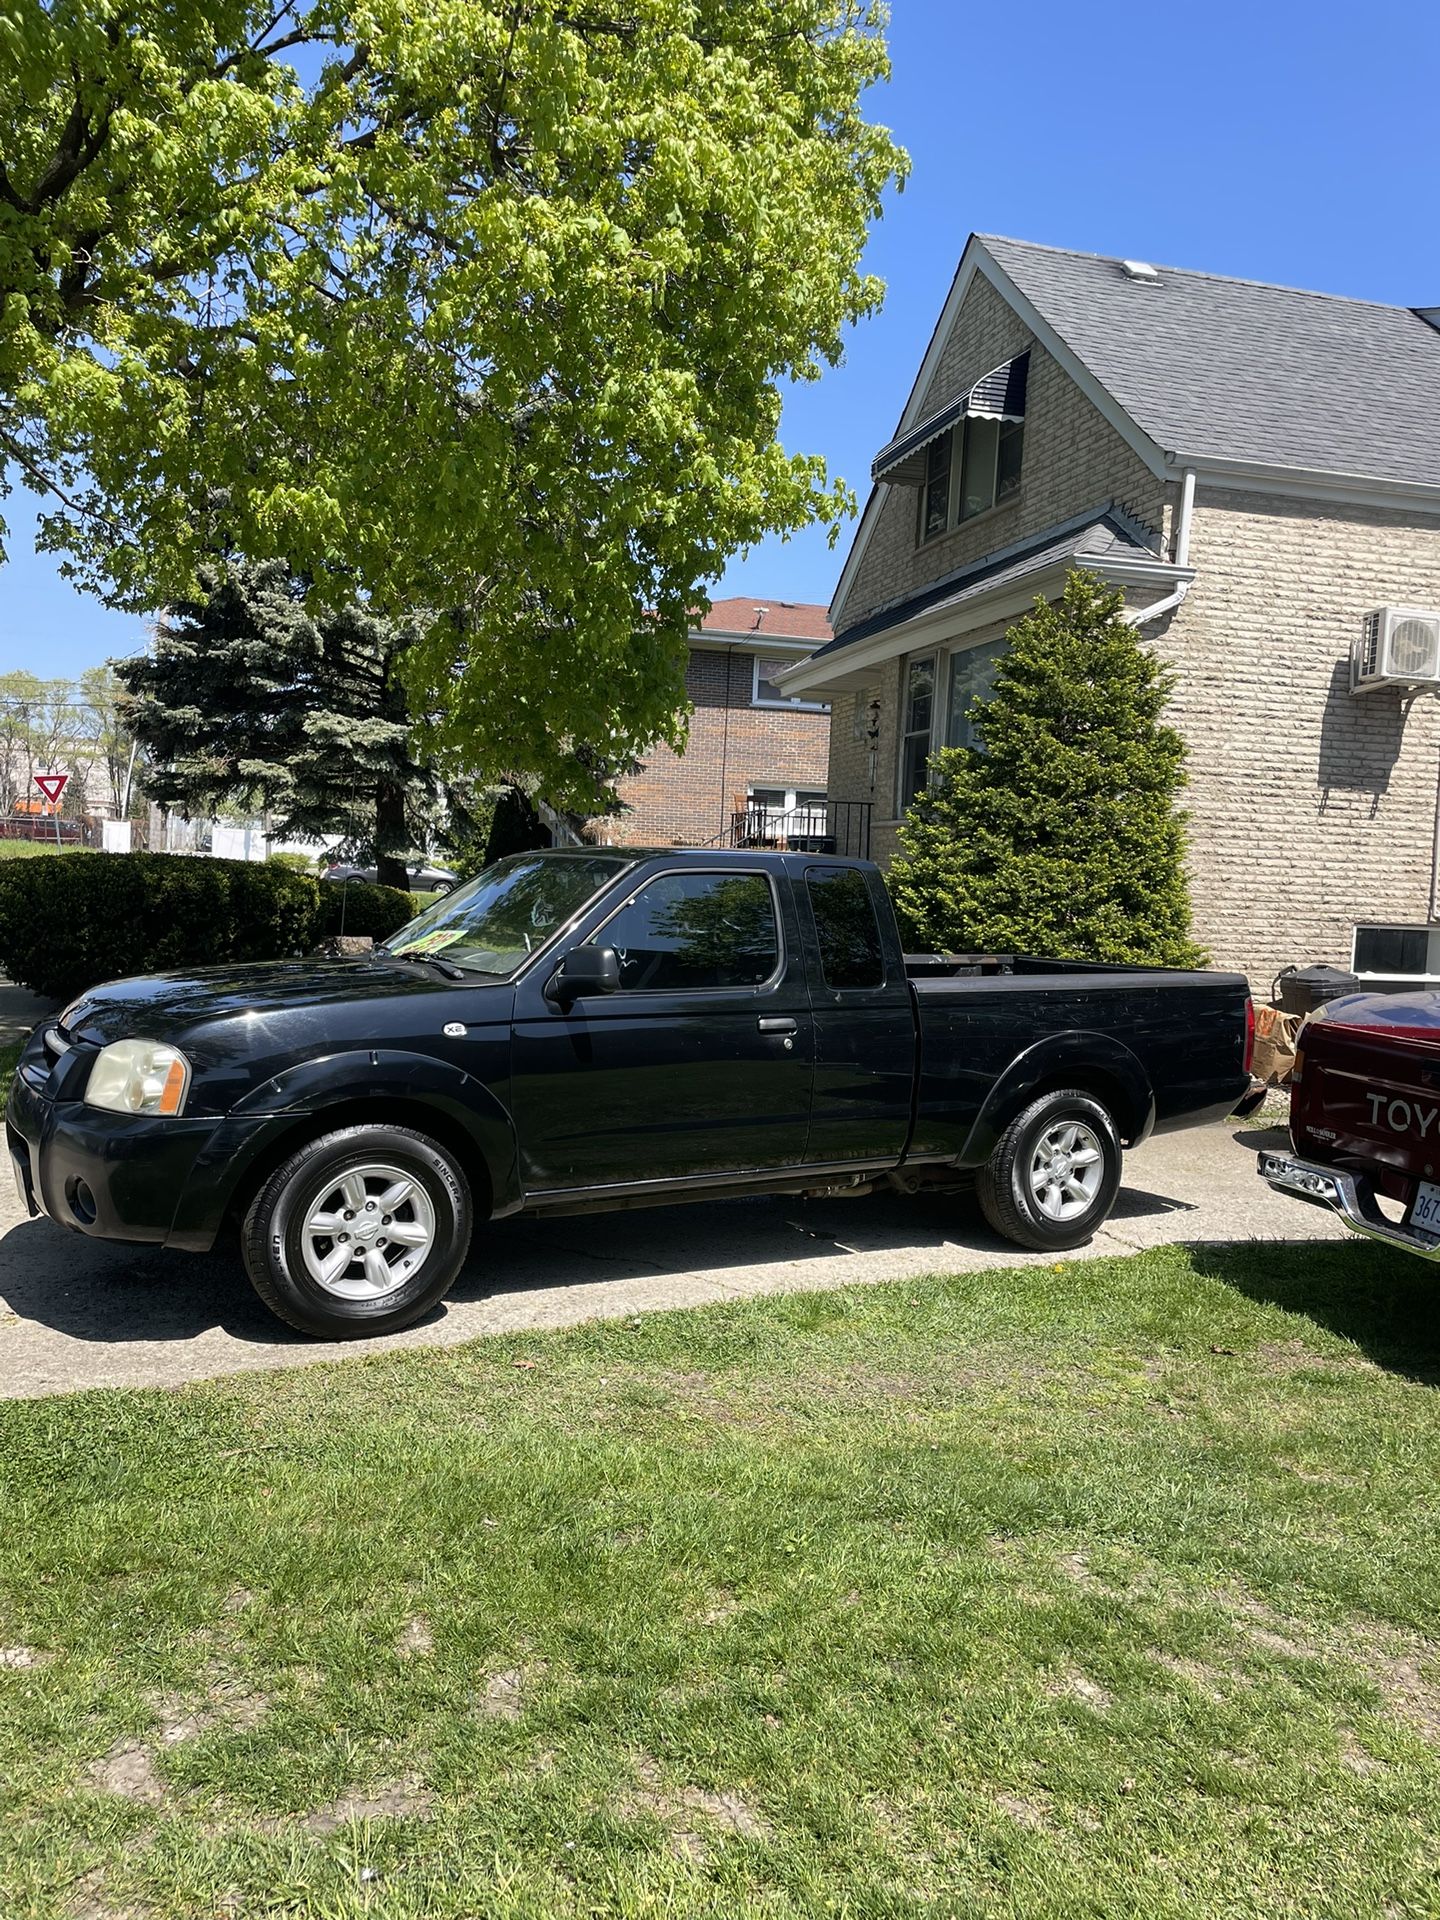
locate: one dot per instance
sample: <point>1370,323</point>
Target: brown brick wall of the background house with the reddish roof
<point>686,800</point>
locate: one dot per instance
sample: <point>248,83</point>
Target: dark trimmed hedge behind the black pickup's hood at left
<point>80,919</point>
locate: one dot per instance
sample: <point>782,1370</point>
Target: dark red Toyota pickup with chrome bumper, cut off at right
<point>1366,1118</point>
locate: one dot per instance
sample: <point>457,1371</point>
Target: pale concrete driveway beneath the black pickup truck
<point>80,1314</point>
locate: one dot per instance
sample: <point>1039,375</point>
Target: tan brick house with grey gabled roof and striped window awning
<point>1259,469</point>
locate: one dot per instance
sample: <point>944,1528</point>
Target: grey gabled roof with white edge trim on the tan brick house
<point>1243,383</point>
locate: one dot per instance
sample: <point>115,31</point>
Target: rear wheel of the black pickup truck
<point>1055,1174</point>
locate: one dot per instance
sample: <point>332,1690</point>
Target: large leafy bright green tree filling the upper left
<point>479,304</point>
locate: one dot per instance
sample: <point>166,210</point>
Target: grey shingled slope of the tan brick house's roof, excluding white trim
<point>1218,370</point>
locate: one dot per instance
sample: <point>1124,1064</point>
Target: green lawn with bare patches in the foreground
<point>1099,1591</point>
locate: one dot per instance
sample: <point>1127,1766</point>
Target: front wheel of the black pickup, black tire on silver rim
<point>276,1247</point>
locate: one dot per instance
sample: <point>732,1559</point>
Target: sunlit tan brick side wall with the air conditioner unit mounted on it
<point>1310,809</point>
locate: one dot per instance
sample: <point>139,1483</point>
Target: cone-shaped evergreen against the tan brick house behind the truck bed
<point>1063,832</point>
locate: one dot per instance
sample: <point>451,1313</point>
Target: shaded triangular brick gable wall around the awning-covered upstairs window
<point>1072,460</point>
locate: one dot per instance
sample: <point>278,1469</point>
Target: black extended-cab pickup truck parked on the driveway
<point>602,1028</point>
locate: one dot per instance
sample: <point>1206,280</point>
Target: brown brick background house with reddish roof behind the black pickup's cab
<point>754,752</point>
